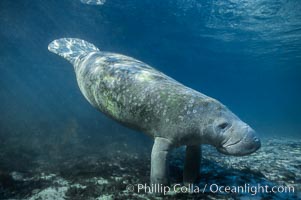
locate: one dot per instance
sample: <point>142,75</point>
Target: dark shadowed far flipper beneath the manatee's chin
<point>192,163</point>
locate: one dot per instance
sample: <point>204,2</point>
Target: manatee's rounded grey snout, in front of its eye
<point>243,141</point>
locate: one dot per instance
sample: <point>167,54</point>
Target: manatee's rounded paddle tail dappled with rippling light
<point>71,48</point>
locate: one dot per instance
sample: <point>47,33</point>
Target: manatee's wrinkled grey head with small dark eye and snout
<point>229,134</point>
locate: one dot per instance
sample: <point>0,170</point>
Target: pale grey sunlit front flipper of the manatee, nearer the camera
<point>159,161</point>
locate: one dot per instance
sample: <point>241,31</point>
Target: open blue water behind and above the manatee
<point>245,53</point>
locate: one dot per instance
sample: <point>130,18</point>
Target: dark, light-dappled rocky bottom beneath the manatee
<point>277,163</point>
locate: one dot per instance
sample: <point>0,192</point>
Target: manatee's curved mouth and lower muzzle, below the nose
<point>241,147</point>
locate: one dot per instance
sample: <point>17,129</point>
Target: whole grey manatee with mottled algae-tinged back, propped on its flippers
<point>143,98</point>
